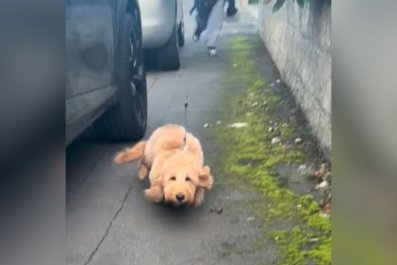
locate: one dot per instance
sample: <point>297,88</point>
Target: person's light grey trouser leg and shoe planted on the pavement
<point>214,26</point>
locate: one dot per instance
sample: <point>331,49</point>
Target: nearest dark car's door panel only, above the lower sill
<point>90,46</point>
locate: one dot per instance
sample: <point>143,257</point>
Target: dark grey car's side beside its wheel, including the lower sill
<point>90,66</point>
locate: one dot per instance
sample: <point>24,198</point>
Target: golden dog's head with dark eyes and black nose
<point>182,177</point>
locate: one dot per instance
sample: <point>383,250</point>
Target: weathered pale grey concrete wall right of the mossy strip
<point>299,40</point>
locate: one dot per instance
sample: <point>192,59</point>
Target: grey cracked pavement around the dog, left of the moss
<point>109,222</point>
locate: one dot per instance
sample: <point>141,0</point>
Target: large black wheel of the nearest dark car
<point>127,119</point>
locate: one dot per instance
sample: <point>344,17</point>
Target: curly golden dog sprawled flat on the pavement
<point>174,166</point>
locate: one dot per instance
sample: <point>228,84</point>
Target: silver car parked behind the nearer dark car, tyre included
<point>163,30</point>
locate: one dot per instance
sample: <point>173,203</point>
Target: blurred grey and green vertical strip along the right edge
<point>363,132</point>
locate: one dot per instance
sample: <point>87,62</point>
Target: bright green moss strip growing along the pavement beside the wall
<point>248,159</point>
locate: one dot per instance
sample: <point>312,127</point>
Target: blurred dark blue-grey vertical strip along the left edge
<point>32,121</point>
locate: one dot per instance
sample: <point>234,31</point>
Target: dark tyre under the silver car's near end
<point>168,55</point>
